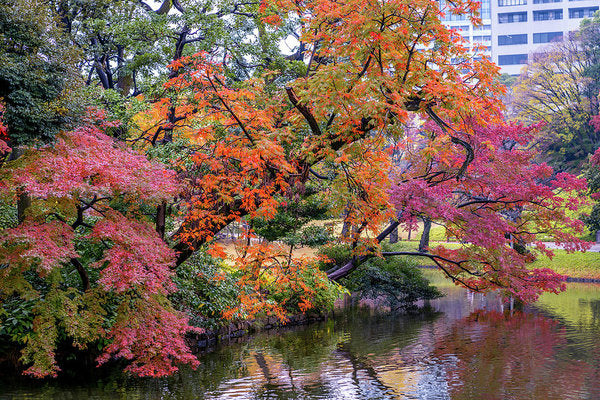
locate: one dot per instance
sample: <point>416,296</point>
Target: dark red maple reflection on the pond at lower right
<point>503,355</point>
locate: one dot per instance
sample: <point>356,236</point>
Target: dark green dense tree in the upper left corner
<point>37,72</point>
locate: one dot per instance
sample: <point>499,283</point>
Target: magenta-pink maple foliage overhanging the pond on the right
<point>501,203</point>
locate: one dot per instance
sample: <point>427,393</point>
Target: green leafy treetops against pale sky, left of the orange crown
<point>126,45</point>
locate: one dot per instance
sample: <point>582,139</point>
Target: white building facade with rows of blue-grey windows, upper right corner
<point>519,27</point>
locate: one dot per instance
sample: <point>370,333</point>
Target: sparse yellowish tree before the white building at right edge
<point>559,87</point>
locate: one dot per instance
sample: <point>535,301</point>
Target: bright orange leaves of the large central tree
<point>369,65</point>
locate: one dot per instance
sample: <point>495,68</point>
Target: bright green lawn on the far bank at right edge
<point>577,265</point>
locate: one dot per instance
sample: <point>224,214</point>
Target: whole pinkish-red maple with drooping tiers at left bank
<point>86,190</point>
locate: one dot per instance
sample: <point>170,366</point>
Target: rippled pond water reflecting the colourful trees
<point>468,346</point>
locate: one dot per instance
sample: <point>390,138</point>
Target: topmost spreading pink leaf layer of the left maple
<point>87,163</point>
